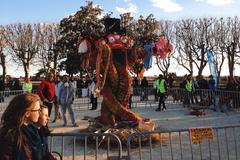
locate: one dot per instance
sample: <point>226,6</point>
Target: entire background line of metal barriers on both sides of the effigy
<point>218,99</point>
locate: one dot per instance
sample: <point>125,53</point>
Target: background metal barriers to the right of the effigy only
<point>216,99</point>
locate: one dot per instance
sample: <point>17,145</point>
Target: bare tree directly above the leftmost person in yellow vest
<point>23,42</point>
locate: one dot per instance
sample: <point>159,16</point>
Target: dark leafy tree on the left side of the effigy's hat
<point>83,23</point>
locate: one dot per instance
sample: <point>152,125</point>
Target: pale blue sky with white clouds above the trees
<point>35,11</point>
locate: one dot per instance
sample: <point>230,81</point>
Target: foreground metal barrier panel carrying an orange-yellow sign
<point>217,143</point>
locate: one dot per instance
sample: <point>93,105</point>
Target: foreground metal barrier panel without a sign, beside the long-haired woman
<point>92,146</point>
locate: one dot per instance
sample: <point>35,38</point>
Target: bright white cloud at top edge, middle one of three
<point>167,5</point>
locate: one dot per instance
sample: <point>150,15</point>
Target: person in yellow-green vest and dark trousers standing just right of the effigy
<point>162,90</point>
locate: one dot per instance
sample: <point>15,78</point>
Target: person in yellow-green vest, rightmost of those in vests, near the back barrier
<point>188,85</point>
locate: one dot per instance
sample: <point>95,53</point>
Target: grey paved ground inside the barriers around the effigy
<point>175,117</point>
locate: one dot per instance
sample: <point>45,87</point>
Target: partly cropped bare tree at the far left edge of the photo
<point>2,55</point>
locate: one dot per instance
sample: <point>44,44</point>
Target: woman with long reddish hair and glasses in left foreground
<point>19,138</point>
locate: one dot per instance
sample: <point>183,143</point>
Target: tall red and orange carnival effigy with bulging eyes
<point>112,56</point>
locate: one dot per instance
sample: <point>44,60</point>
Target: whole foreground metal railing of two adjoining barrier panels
<point>220,143</point>
